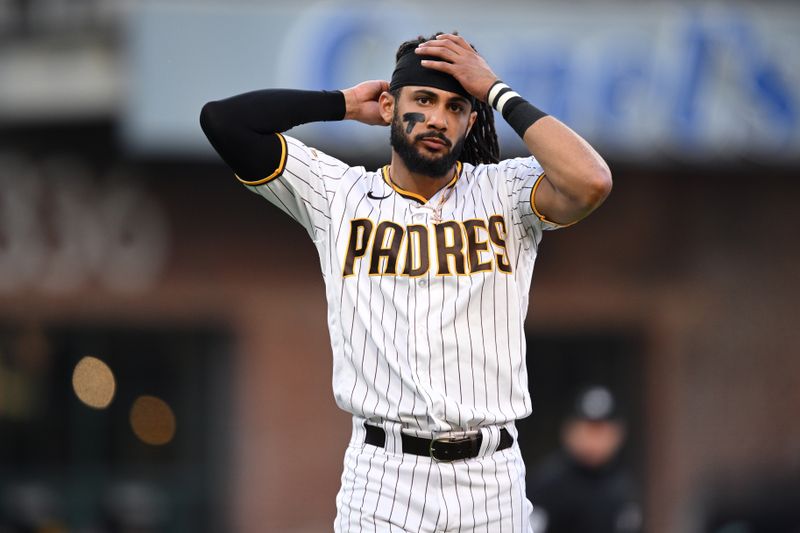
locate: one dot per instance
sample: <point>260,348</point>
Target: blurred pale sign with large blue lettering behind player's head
<point>655,80</point>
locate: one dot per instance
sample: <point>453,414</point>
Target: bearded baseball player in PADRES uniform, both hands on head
<point>427,264</point>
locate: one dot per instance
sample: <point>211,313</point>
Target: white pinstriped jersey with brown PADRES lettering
<point>426,300</point>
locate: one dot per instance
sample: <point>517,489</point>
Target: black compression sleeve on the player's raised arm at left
<point>242,128</point>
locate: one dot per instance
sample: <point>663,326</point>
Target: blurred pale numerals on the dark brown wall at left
<point>60,230</point>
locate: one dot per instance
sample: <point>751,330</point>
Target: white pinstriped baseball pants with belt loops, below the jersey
<point>385,490</point>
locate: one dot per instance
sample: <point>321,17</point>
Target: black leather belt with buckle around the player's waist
<point>440,449</point>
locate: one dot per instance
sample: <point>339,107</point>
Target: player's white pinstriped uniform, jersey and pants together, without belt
<point>431,353</point>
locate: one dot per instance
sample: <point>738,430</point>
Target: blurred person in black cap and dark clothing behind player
<point>583,487</point>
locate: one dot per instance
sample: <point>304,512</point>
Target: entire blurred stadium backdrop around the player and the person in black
<point>164,357</point>
